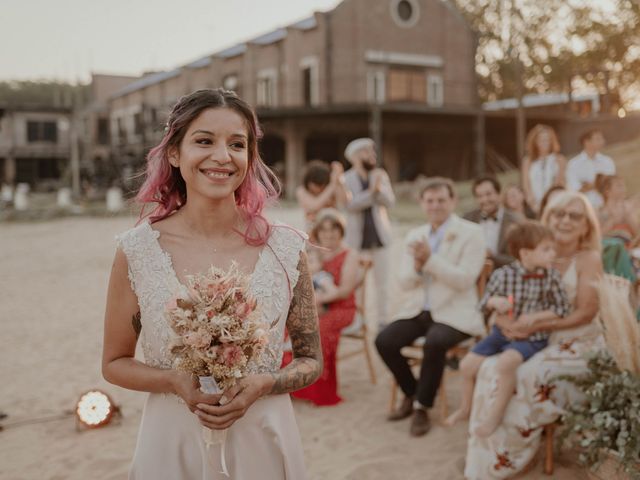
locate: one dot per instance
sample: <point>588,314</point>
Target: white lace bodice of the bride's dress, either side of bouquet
<point>154,281</point>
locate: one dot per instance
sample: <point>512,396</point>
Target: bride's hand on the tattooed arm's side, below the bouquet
<point>234,402</point>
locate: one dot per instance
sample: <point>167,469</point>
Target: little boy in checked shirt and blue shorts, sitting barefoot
<point>528,286</point>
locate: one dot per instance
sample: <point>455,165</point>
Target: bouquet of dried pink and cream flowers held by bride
<point>217,326</point>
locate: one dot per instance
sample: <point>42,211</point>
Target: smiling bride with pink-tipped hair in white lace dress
<point>210,185</point>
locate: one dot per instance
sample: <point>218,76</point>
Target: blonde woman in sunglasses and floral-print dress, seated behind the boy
<point>539,400</point>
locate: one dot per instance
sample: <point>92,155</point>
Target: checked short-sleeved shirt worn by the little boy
<point>531,292</point>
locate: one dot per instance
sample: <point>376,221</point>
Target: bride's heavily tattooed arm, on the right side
<point>302,324</point>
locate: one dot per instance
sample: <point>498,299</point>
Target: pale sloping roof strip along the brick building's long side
<point>230,52</point>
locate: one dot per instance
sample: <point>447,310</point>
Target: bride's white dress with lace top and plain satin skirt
<point>265,443</point>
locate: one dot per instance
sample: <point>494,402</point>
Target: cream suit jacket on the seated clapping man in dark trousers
<point>448,278</point>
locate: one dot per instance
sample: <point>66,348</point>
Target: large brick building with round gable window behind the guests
<point>400,71</point>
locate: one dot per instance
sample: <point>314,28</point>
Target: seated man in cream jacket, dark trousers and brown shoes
<point>440,266</point>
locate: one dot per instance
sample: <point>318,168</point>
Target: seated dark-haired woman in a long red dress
<point>342,264</point>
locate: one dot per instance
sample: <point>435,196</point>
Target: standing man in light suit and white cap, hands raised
<point>368,226</point>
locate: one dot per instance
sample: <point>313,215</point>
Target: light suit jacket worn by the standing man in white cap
<point>362,199</point>
